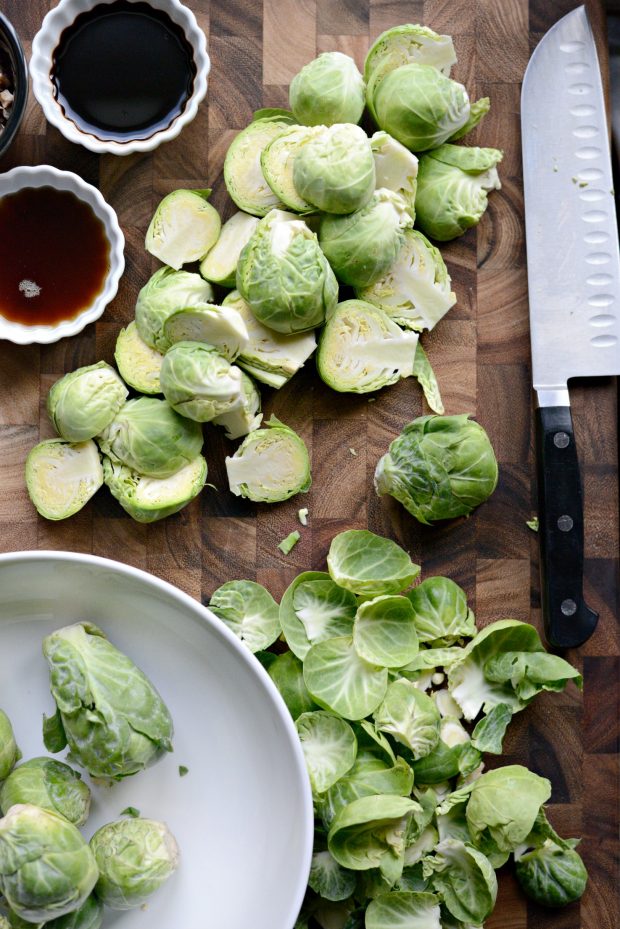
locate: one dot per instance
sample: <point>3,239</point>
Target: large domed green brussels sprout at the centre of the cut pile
<point>284,275</point>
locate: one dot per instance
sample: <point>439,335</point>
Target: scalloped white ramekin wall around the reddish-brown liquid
<point>46,176</point>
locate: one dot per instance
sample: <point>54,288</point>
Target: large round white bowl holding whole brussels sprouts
<point>243,814</point>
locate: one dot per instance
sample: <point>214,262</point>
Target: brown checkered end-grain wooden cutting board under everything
<point>480,353</point>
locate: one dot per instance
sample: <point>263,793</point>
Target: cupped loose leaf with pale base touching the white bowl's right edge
<point>329,746</point>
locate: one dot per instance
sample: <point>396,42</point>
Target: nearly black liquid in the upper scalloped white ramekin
<point>123,71</point>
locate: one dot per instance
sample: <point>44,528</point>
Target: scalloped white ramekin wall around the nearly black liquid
<point>46,41</point>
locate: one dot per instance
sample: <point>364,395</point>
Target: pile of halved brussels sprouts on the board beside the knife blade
<point>324,241</point>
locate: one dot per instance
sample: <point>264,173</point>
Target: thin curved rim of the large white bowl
<point>306,815</point>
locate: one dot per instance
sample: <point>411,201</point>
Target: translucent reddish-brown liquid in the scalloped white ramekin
<point>54,257</point>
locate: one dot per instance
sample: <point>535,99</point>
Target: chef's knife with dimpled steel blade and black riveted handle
<point>573,279</point>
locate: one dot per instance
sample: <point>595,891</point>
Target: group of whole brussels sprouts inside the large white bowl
<point>115,724</point>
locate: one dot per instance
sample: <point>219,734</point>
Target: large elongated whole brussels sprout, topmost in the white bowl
<point>89,678</point>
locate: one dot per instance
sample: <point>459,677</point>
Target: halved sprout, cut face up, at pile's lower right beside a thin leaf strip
<point>361,349</point>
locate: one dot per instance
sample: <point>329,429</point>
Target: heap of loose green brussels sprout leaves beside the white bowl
<point>397,696</point>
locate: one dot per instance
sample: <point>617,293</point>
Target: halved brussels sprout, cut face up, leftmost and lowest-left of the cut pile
<point>61,477</point>
